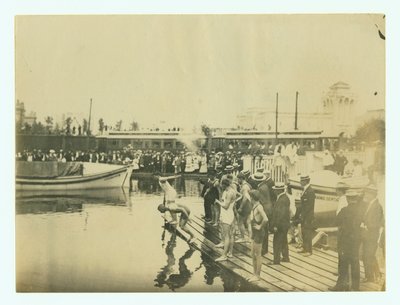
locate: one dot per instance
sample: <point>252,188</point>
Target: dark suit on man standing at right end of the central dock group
<point>307,217</point>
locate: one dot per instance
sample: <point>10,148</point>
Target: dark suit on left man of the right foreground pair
<point>349,240</point>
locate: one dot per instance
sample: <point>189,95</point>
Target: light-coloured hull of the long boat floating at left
<point>119,177</point>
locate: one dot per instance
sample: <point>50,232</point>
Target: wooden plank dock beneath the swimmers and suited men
<point>314,273</point>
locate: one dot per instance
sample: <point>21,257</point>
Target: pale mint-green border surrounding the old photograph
<point>48,7</point>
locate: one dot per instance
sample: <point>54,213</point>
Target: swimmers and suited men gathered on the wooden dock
<point>248,208</point>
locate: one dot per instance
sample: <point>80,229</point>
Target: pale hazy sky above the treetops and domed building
<point>192,69</point>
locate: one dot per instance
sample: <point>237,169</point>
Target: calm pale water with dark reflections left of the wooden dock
<point>110,241</point>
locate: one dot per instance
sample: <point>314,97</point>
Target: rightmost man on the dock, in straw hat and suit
<point>372,227</point>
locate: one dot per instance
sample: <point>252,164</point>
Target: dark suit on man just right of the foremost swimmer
<point>281,221</point>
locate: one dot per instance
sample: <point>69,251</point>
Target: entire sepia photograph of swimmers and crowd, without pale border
<point>200,153</point>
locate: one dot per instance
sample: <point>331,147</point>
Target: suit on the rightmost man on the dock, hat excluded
<point>373,220</point>
